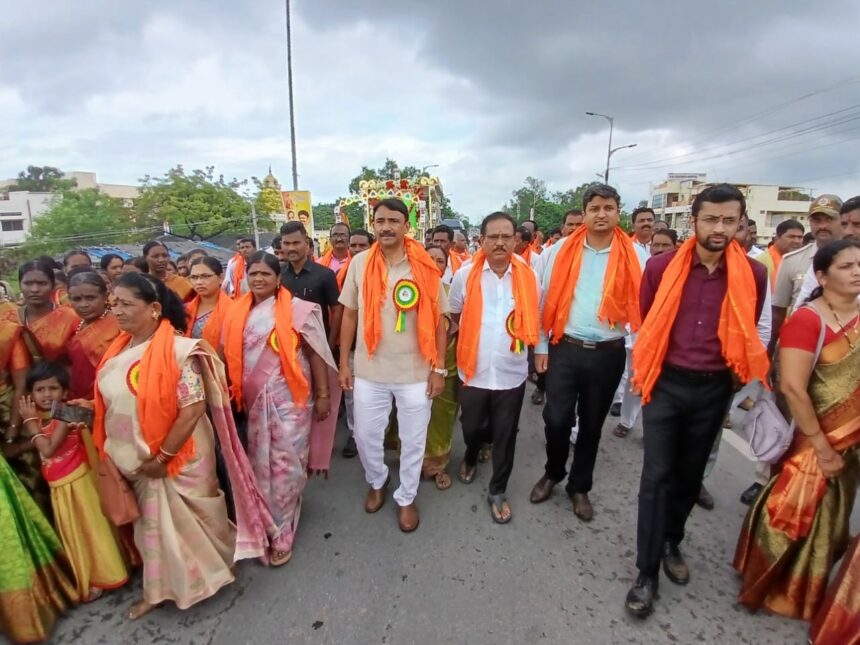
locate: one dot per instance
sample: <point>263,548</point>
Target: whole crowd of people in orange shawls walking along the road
<point>167,415</point>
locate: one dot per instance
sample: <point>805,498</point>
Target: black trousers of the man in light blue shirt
<point>583,380</point>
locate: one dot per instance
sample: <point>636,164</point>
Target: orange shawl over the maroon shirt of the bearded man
<point>741,346</point>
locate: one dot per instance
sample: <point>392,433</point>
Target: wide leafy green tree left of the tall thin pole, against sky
<point>197,206</point>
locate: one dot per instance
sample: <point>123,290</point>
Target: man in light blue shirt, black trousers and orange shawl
<point>584,366</point>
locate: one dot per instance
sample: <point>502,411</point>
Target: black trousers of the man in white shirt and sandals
<point>492,416</point>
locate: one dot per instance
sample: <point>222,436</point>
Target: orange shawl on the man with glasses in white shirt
<point>525,321</point>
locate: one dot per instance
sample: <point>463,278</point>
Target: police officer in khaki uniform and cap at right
<point>825,226</point>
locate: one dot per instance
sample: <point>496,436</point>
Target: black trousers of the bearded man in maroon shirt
<point>681,423</point>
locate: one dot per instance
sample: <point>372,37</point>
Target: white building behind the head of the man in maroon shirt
<point>767,205</point>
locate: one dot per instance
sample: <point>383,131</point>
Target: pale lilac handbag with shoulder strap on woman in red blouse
<point>766,429</point>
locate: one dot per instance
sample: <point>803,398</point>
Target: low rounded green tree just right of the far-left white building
<point>83,218</point>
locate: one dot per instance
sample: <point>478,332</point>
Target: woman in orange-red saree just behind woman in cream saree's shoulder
<point>95,332</point>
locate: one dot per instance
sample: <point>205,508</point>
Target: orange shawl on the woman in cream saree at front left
<point>157,401</point>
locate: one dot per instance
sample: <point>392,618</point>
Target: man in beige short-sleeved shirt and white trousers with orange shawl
<point>404,363</point>
